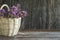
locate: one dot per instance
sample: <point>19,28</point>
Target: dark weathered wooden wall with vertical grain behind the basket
<point>42,14</point>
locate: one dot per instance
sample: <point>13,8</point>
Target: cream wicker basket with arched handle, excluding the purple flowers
<point>9,26</point>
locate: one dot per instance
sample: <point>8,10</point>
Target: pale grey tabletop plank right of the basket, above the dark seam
<point>39,34</point>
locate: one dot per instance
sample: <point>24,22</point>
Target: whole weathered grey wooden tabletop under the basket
<point>34,36</point>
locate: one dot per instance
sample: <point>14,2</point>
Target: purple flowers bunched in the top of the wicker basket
<point>14,12</point>
